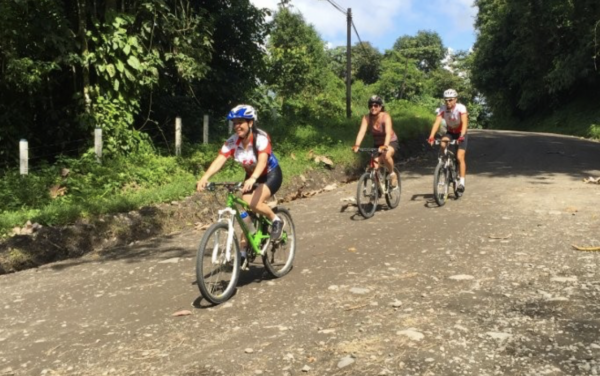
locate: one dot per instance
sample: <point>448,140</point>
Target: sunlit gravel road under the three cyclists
<point>486,285</point>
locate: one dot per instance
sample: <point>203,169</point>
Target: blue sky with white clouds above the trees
<point>382,22</point>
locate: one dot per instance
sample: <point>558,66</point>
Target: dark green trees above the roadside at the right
<point>530,55</point>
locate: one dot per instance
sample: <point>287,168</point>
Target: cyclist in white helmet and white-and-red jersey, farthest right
<point>457,121</point>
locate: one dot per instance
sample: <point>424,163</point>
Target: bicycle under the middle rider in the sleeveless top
<point>375,182</point>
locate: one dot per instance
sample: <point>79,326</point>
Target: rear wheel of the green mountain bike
<point>279,259</point>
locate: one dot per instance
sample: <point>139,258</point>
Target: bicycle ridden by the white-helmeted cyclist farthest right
<point>446,173</point>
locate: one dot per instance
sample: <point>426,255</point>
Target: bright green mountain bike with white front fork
<point>218,262</point>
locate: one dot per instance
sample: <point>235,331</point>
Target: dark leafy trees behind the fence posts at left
<point>71,65</point>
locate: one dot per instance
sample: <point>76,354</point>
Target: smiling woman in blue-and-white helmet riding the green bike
<point>251,147</point>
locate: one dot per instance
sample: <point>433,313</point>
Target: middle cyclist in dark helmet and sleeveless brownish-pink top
<point>379,123</point>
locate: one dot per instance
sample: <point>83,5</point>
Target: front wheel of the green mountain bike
<point>216,273</point>
